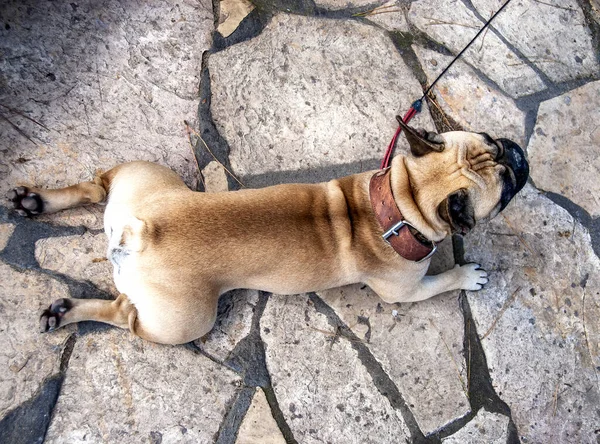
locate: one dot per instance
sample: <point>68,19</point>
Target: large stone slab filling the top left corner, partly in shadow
<point>110,82</point>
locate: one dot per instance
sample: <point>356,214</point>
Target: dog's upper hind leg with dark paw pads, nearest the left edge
<point>33,201</point>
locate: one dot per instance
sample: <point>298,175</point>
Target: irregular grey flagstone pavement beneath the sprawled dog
<point>232,93</point>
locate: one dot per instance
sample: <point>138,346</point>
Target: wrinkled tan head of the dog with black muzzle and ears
<point>459,178</point>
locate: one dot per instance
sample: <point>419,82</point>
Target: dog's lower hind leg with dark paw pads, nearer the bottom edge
<point>120,313</point>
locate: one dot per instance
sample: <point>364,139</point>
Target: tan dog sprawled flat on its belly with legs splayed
<point>176,251</point>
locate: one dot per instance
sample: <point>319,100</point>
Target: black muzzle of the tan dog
<point>517,170</point>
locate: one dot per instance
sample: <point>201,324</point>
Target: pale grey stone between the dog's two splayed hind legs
<point>80,257</point>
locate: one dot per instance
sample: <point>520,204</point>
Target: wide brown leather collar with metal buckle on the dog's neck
<point>397,231</point>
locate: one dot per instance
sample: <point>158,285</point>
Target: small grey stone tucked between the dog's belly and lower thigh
<point>233,323</point>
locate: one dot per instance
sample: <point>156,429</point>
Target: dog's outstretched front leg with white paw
<point>466,277</point>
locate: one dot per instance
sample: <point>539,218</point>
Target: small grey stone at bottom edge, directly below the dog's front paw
<point>486,427</point>
